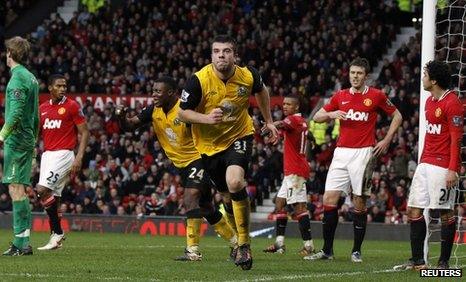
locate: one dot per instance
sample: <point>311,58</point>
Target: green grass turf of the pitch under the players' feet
<point>92,256</point>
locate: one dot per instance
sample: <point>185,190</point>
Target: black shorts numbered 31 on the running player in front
<point>239,153</point>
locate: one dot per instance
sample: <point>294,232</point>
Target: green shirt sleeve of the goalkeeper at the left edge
<point>17,103</point>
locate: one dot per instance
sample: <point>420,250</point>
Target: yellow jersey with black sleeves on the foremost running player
<point>231,96</point>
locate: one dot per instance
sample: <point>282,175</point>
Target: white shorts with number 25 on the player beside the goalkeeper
<point>55,167</point>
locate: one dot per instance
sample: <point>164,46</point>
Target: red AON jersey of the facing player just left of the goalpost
<point>358,130</point>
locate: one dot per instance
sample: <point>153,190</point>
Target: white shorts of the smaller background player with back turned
<point>293,189</point>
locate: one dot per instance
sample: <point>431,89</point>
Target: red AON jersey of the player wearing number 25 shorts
<point>58,124</point>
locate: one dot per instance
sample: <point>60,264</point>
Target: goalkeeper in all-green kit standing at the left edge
<point>19,135</point>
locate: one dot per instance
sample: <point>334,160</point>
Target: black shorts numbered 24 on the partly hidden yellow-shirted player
<point>195,176</point>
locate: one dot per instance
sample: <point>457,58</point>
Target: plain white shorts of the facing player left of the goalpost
<point>347,170</point>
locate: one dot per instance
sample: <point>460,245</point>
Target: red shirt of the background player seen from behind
<point>294,155</point>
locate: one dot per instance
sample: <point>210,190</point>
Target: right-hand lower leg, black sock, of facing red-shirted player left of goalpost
<point>359,226</point>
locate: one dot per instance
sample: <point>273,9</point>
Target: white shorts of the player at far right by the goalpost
<point>428,188</point>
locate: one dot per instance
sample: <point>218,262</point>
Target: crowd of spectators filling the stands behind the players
<point>299,48</point>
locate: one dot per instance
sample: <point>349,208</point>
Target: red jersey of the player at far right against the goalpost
<point>444,131</point>
